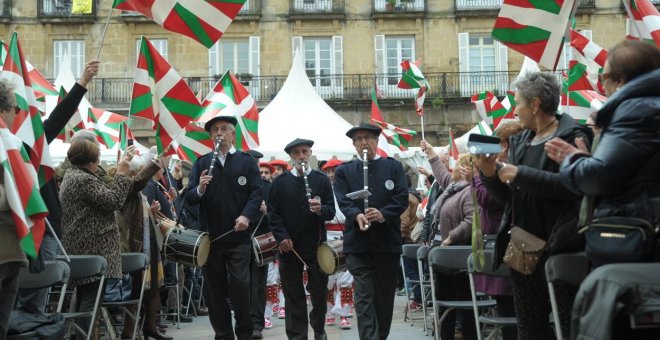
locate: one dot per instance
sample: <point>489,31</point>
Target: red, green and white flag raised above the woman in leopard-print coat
<point>162,96</point>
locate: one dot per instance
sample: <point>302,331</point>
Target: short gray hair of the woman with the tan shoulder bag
<point>542,85</point>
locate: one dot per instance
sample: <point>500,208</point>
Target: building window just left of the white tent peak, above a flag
<point>230,54</point>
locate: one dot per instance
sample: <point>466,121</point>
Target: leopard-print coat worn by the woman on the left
<point>88,219</point>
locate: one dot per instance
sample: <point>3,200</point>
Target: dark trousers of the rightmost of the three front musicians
<point>375,281</point>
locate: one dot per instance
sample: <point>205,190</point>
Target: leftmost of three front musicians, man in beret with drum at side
<point>229,199</point>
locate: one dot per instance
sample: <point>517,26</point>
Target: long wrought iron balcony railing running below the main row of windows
<point>447,85</point>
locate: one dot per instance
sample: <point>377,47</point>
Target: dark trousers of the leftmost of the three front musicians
<point>227,276</point>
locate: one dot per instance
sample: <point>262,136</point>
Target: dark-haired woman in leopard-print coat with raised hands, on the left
<point>88,219</point>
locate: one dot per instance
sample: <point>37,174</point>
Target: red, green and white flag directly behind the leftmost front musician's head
<point>230,98</point>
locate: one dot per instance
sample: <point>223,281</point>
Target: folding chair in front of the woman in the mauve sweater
<point>450,260</point>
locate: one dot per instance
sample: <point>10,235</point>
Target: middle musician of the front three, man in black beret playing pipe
<point>299,202</point>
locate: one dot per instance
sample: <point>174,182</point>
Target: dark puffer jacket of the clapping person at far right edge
<point>625,168</point>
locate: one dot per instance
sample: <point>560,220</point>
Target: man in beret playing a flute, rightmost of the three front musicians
<point>372,238</point>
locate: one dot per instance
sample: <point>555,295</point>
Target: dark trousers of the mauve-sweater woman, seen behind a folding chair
<point>455,287</point>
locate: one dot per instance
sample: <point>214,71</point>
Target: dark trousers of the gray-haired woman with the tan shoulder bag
<point>532,303</point>
